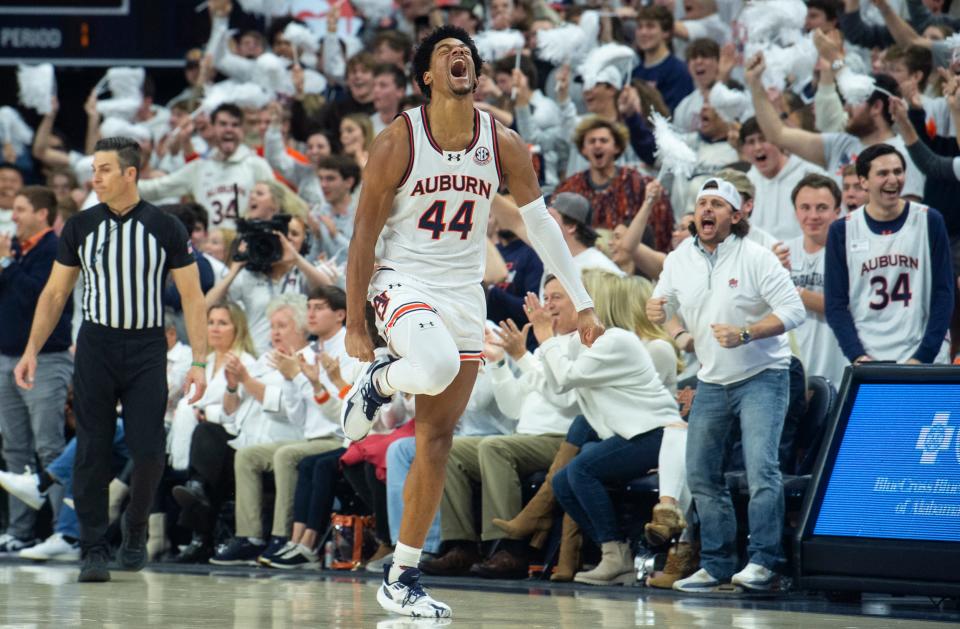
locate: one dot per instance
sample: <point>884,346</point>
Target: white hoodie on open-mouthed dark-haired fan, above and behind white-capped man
<point>772,208</point>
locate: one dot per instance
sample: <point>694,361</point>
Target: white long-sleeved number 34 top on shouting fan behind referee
<point>221,185</point>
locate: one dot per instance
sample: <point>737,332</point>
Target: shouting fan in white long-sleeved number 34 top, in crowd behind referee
<point>221,183</point>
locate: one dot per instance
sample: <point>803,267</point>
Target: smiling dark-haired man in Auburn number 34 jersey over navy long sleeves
<point>889,277</point>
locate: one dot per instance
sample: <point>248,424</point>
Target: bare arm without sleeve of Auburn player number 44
<point>381,176</point>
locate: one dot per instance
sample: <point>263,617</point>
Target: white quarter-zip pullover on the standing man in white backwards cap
<point>743,285</point>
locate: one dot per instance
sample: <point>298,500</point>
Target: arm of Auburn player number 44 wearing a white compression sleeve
<point>543,232</point>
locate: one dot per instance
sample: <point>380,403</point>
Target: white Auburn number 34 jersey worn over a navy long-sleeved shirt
<point>890,291</point>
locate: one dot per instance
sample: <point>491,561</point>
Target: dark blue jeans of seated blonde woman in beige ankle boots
<point>580,487</point>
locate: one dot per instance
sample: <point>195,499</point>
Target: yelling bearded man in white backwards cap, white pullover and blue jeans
<point>738,303</point>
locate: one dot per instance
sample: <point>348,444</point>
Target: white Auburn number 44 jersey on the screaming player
<point>437,230</point>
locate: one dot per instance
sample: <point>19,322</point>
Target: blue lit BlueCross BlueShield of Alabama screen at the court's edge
<point>896,474</point>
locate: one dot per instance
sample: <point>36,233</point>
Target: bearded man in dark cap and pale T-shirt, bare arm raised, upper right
<point>868,124</point>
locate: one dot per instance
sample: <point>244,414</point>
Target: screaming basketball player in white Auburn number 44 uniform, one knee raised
<point>417,255</point>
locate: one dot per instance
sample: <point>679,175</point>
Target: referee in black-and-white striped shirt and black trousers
<point>124,247</point>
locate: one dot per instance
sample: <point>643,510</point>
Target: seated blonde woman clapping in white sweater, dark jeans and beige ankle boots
<point>626,406</point>
